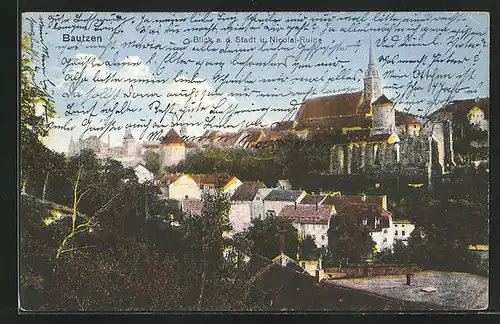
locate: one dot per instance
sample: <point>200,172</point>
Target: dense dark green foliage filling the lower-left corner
<point>131,257</point>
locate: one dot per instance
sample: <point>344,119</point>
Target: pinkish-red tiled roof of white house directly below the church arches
<point>306,214</point>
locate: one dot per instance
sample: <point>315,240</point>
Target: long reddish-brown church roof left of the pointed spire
<point>330,106</point>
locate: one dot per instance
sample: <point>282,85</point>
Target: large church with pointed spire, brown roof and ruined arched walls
<point>368,134</point>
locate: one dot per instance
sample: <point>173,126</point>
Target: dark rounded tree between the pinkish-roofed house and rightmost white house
<point>350,243</point>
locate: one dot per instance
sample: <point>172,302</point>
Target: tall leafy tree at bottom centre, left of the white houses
<point>214,281</point>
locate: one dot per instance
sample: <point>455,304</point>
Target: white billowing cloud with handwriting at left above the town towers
<point>196,99</point>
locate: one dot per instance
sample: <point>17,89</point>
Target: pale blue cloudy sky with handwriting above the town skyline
<point>423,60</point>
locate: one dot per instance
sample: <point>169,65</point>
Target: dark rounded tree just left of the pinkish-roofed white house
<point>265,237</point>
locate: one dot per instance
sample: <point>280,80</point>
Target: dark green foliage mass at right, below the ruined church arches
<point>448,218</point>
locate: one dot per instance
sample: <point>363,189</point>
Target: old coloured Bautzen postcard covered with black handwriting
<point>254,161</point>
